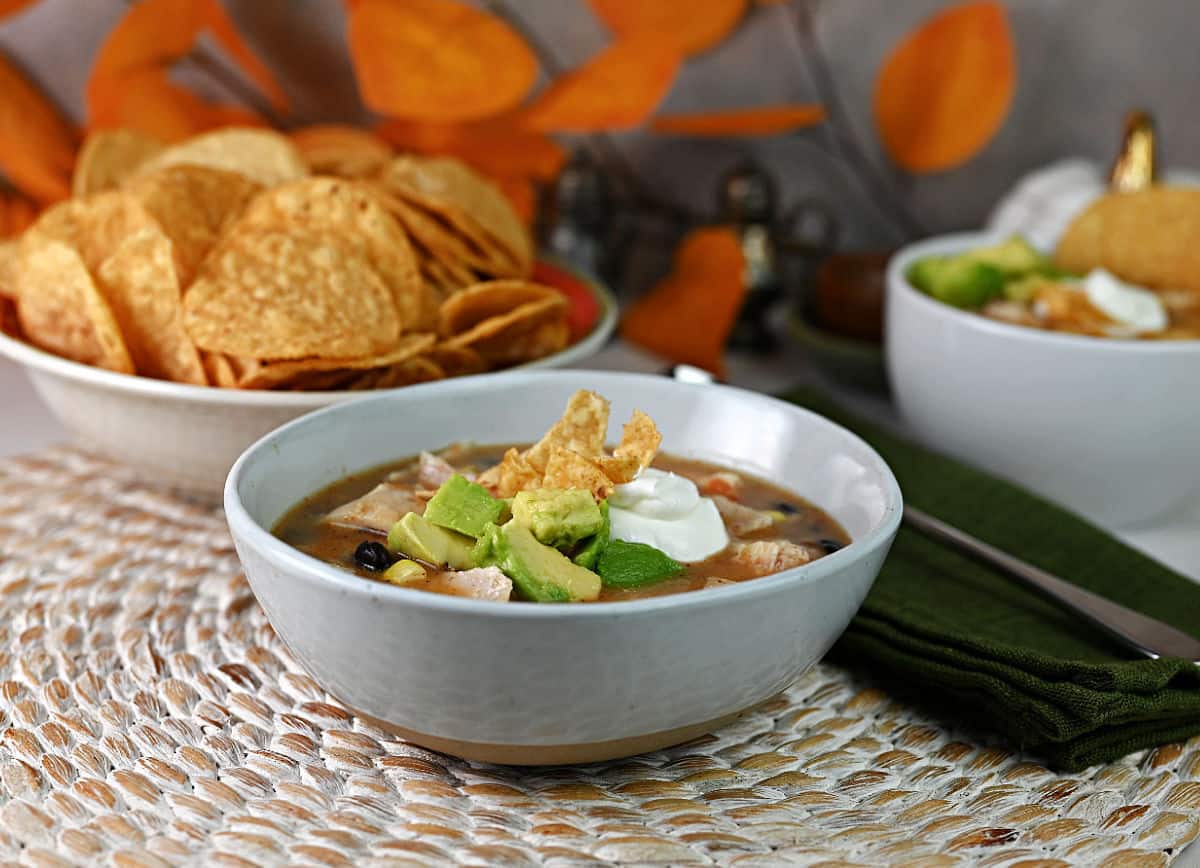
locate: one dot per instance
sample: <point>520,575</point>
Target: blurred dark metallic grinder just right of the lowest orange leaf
<point>748,203</point>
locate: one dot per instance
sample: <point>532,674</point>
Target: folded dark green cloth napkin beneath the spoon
<point>973,642</point>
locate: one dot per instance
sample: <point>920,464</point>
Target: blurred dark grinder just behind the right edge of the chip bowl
<point>575,224</point>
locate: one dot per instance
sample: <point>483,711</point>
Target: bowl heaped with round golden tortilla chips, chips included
<point>189,298</point>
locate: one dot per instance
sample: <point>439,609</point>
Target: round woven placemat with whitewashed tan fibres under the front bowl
<point>151,717</point>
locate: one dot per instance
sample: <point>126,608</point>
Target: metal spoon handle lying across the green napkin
<point>1142,633</point>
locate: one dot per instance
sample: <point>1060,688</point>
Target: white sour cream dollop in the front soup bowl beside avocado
<point>667,511</point>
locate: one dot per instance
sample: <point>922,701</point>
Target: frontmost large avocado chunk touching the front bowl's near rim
<point>538,572</point>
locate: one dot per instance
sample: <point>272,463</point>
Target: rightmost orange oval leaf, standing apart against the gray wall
<point>946,89</point>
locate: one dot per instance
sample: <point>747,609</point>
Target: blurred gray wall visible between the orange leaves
<point>1082,64</point>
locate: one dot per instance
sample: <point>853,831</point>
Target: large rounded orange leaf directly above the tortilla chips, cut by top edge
<point>439,61</point>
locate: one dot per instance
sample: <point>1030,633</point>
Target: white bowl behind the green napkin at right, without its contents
<point>1108,428</point>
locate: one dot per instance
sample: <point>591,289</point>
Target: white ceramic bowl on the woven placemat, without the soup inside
<point>544,684</point>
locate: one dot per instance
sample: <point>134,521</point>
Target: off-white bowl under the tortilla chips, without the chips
<point>187,438</point>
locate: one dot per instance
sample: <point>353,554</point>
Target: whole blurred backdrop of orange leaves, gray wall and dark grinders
<point>802,129</point>
